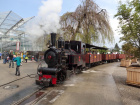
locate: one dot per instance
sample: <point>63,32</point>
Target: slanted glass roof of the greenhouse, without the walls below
<point>11,27</point>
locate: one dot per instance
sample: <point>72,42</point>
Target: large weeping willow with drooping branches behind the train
<point>88,23</point>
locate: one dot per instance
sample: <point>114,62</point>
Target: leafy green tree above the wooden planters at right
<point>129,19</point>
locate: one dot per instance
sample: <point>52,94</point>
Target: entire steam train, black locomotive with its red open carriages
<point>69,57</point>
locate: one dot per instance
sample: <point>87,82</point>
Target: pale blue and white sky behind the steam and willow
<point>29,8</point>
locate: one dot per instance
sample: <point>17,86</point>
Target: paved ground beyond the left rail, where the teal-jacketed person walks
<point>8,74</point>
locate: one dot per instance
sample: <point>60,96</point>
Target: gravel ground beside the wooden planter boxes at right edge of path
<point>130,94</point>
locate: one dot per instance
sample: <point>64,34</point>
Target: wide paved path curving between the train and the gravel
<point>95,86</point>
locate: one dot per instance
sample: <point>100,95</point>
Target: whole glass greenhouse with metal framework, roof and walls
<point>12,30</point>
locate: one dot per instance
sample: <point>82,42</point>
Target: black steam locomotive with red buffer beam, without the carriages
<point>67,58</point>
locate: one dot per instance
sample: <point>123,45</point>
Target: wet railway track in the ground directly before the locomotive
<point>31,100</point>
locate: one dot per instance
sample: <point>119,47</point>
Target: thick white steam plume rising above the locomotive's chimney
<point>47,20</point>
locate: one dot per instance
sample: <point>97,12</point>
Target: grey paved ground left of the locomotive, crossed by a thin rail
<point>25,86</point>
